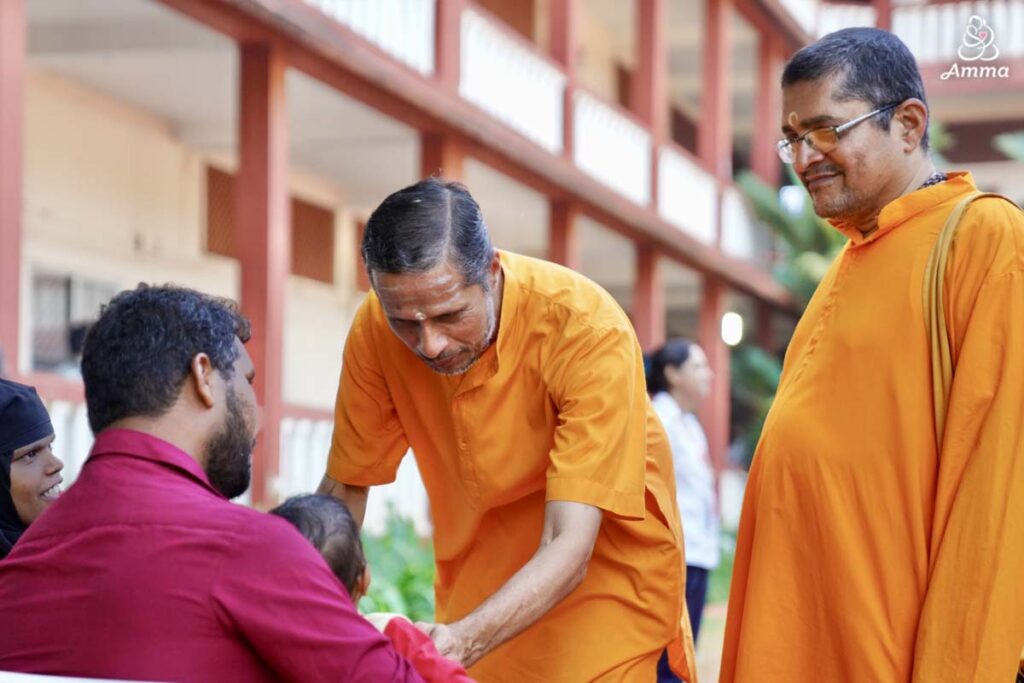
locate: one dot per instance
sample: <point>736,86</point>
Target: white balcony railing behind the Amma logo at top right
<point>935,33</point>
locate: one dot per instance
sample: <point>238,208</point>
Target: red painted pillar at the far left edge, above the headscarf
<point>13,57</point>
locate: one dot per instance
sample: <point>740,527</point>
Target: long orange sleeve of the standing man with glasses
<point>972,624</point>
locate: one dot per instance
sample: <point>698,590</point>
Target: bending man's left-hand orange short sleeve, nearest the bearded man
<point>369,442</point>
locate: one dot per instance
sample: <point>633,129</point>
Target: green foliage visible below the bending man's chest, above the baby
<point>402,565</point>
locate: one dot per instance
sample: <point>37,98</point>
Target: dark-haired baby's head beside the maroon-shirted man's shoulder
<point>328,525</point>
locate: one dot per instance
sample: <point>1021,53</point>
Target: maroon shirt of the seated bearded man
<point>144,571</point>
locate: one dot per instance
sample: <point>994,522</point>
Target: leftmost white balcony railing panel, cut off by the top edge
<point>404,29</point>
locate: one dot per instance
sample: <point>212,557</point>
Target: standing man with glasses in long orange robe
<point>868,551</point>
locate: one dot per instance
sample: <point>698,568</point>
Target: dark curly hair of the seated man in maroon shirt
<point>137,357</point>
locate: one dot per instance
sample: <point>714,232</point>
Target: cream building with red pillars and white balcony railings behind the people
<point>238,147</point>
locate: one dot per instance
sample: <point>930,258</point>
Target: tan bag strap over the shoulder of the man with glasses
<point>935,319</point>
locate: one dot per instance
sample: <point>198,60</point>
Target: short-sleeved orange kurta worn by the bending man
<point>556,410</point>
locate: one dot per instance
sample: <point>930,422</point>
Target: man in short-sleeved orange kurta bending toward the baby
<point>520,387</point>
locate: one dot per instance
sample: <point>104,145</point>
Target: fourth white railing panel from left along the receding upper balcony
<point>688,196</point>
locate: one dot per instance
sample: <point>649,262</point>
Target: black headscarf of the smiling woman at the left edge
<point>24,420</point>
